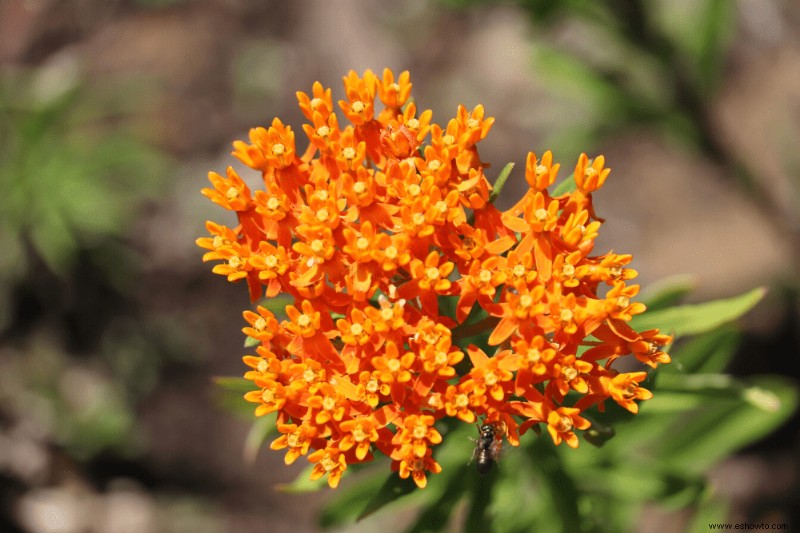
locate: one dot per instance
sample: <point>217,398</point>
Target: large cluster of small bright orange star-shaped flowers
<point>369,231</point>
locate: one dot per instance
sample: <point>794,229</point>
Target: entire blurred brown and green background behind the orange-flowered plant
<point>113,111</point>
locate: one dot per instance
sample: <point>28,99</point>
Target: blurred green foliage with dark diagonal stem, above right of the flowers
<point>654,64</point>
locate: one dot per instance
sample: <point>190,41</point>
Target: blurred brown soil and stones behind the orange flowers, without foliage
<point>215,68</point>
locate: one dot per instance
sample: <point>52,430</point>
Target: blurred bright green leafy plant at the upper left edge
<point>72,172</point>
